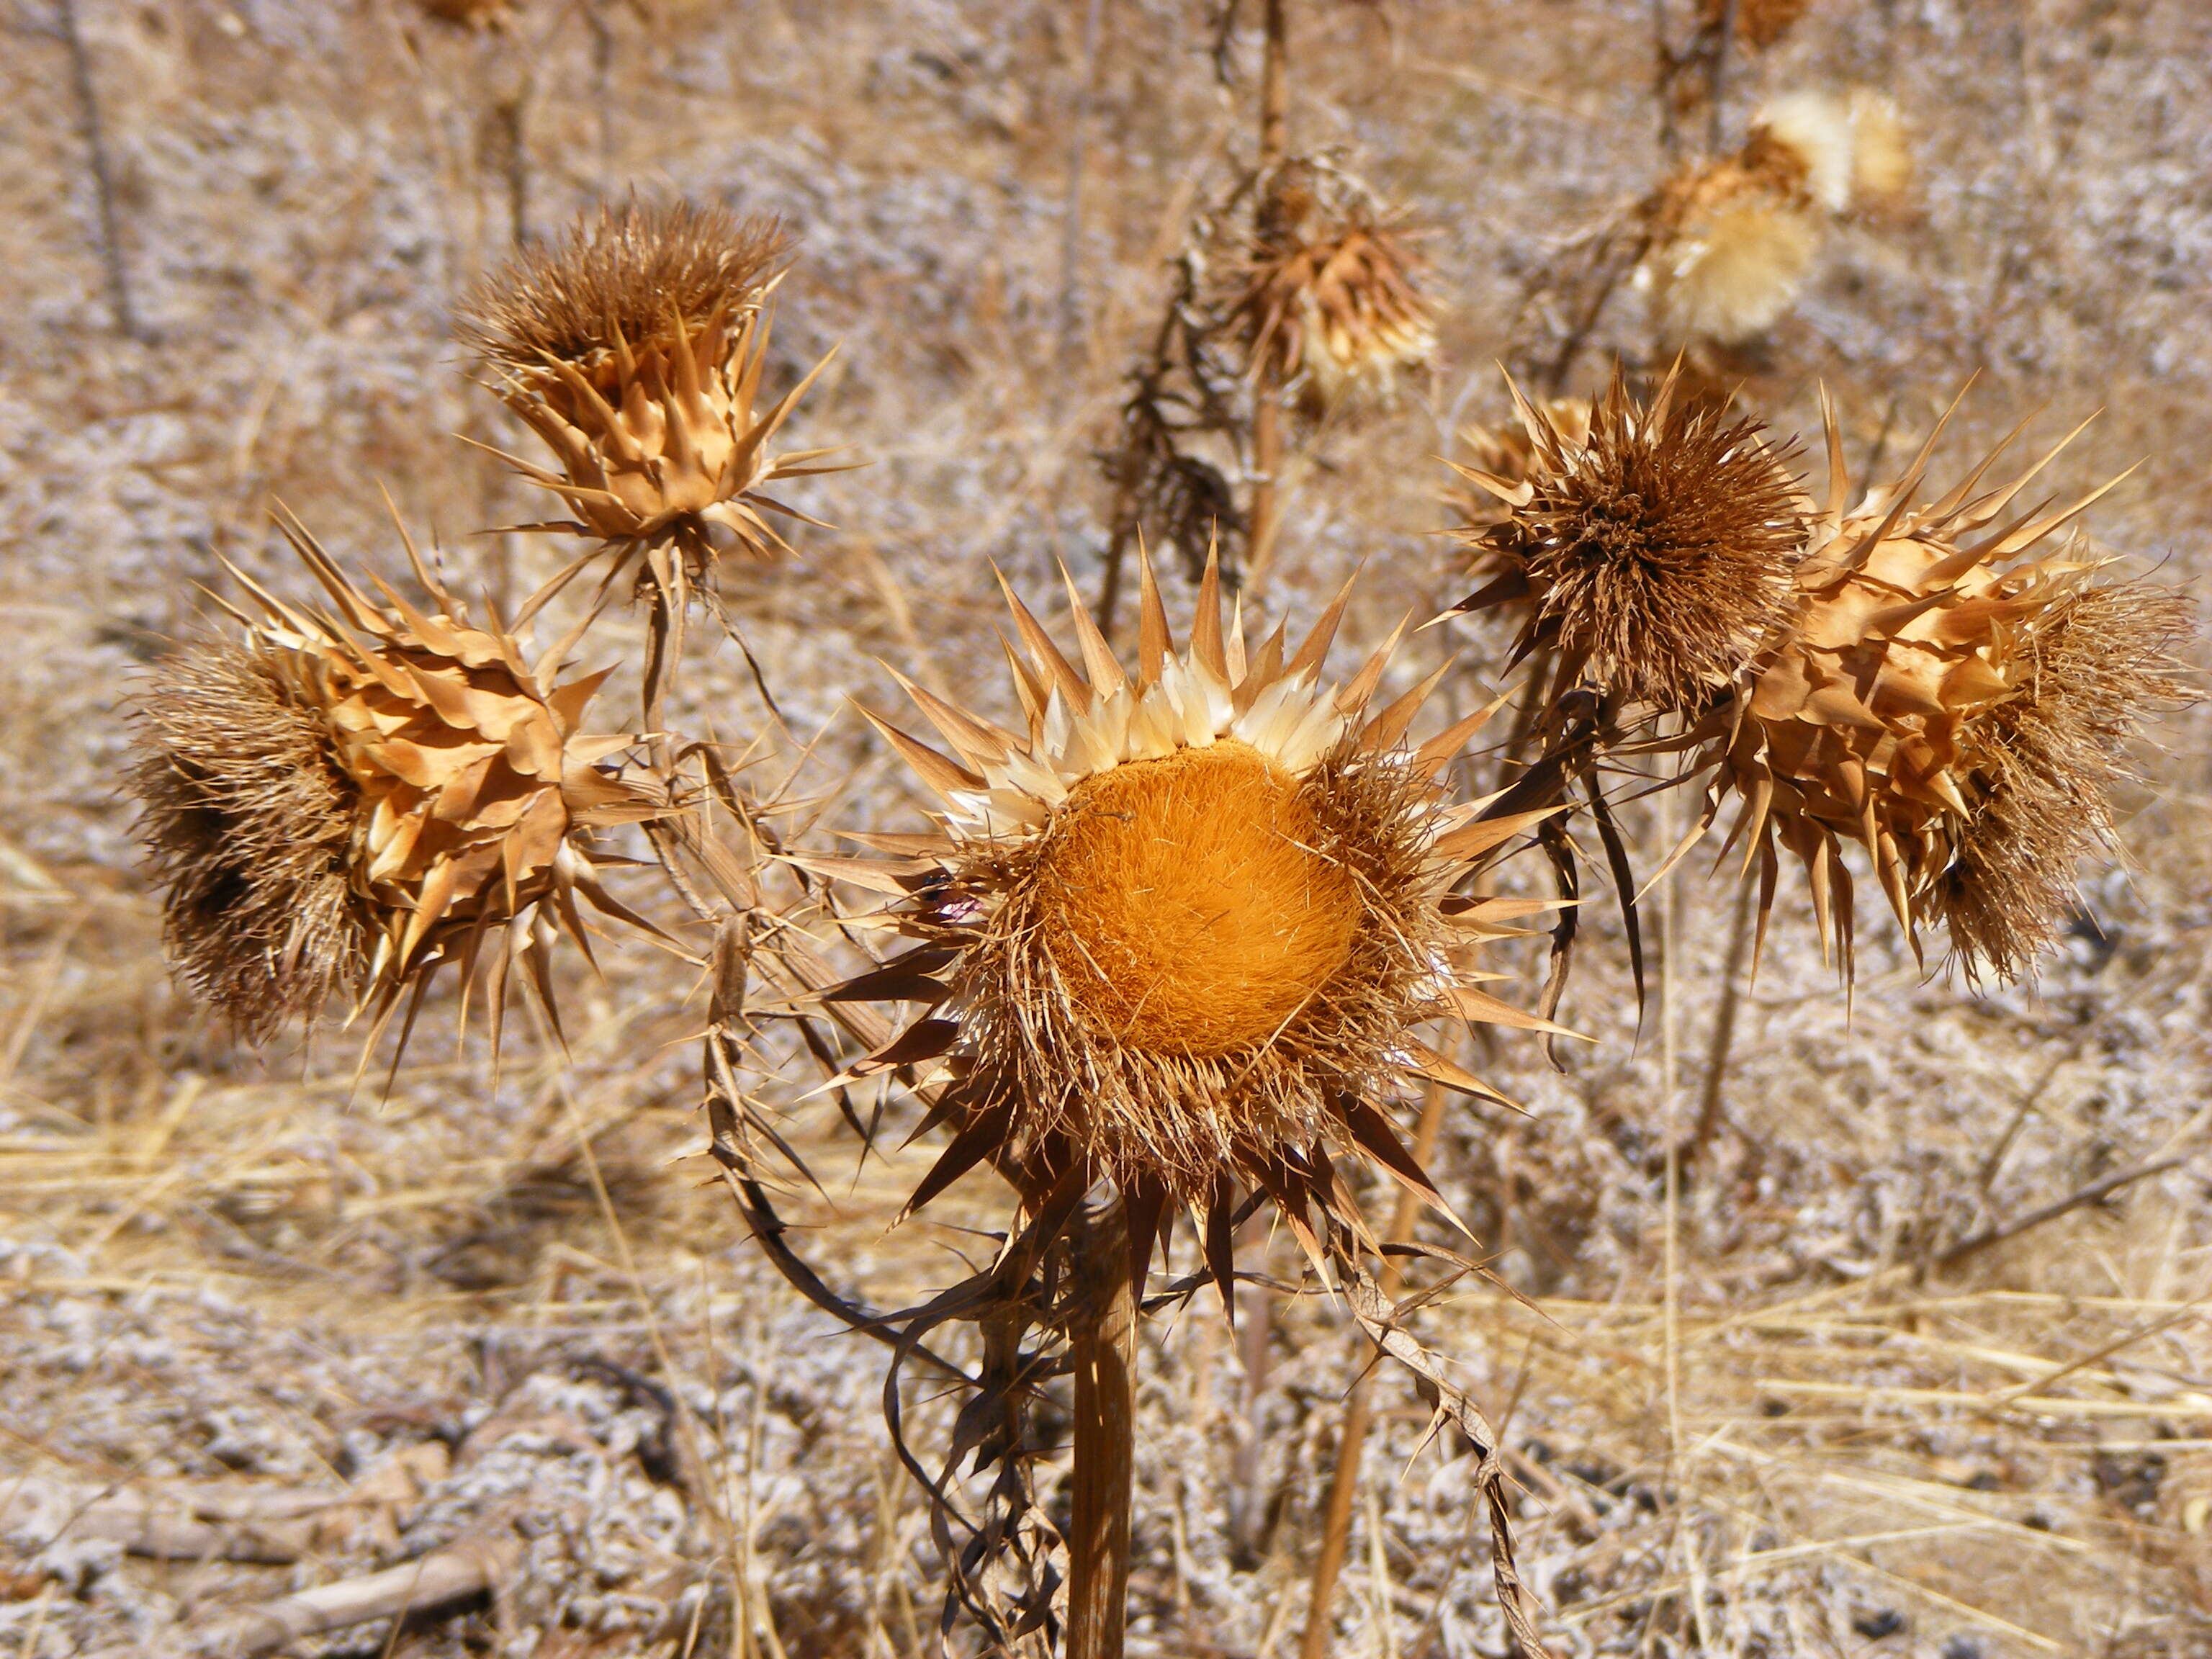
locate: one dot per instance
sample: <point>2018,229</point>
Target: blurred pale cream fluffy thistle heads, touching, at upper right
<point>1733,240</point>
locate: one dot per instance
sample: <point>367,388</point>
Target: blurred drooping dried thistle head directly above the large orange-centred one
<point>1328,300</point>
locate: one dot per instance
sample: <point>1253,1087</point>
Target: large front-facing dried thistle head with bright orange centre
<point>1185,930</point>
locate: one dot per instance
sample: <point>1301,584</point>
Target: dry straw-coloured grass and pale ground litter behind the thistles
<point>1903,1392</point>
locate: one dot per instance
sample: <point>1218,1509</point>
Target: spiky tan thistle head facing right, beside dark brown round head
<point>1954,711</point>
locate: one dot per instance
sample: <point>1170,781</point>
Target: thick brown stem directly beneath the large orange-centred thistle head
<point>1103,1348</point>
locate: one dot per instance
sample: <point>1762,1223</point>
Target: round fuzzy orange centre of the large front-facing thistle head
<point>1187,901</point>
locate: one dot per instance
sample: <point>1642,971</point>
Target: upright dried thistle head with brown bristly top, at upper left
<point>634,348</point>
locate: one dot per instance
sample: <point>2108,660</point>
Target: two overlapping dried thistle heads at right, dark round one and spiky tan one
<point>1890,676</point>
